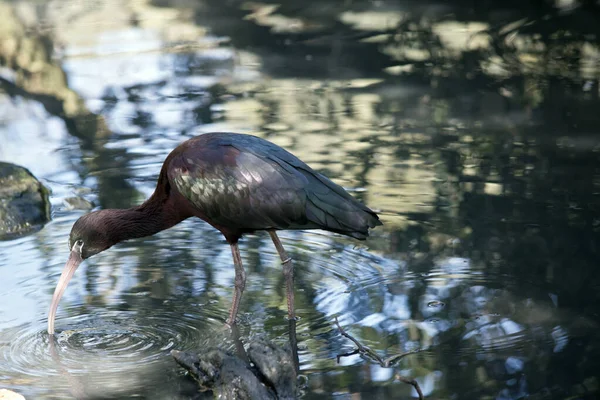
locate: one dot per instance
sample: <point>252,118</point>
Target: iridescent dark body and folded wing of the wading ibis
<point>242,183</point>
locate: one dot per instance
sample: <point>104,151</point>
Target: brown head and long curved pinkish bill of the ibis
<point>91,234</point>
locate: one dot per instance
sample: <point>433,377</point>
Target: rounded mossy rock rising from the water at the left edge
<point>24,204</point>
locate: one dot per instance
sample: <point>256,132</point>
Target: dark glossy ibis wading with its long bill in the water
<point>237,183</point>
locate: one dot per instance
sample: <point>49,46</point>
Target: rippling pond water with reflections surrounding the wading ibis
<point>478,149</point>
